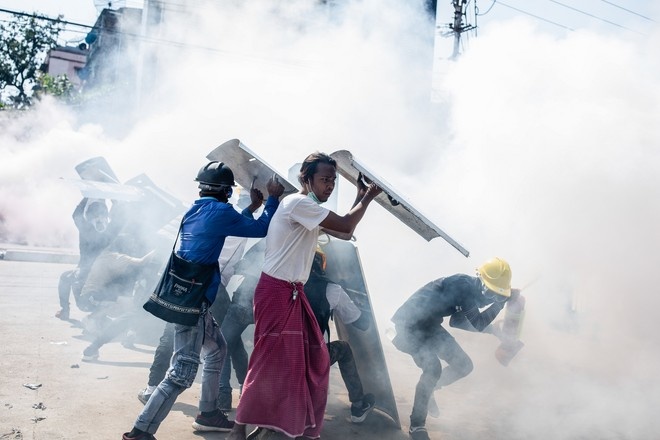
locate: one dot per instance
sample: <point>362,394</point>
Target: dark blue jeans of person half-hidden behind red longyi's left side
<point>236,321</point>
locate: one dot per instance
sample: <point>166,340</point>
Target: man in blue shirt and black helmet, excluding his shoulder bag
<point>203,232</point>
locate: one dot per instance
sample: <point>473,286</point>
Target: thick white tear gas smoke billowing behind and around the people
<point>543,150</point>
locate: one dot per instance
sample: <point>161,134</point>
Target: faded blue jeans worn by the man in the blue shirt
<point>189,343</point>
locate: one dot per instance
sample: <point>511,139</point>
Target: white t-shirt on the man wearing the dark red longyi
<point>292,237</point>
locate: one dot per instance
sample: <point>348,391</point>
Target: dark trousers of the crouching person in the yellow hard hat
<point>427,351</point>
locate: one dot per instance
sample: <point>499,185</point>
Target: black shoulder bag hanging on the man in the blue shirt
<point>181,291</point>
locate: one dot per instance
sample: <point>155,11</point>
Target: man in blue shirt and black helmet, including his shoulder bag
<point>201,237</point>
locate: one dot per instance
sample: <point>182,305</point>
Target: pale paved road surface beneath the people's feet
<point>79,400</point>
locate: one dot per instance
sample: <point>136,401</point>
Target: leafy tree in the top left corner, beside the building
<point>25,42</point>
